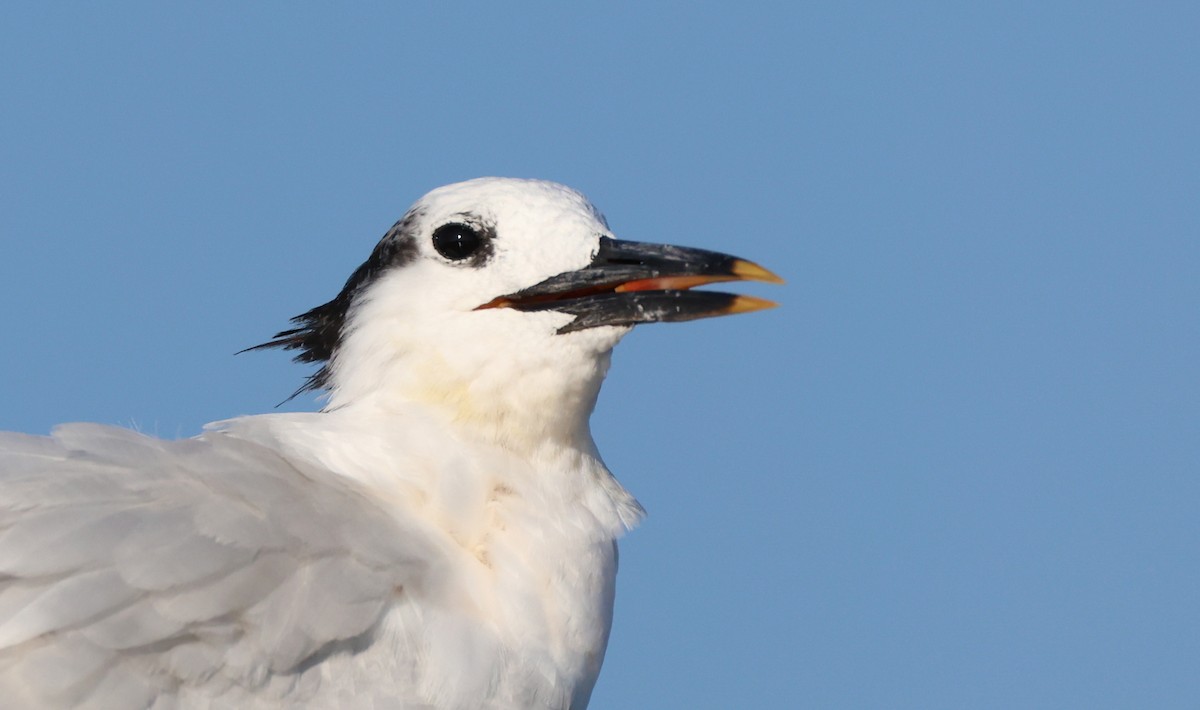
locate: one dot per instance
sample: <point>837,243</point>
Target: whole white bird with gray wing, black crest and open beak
<point>442,535</point>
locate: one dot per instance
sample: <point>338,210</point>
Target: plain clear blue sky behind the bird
<point>958,468</point>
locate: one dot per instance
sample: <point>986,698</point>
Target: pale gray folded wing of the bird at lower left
<point>134,569</point>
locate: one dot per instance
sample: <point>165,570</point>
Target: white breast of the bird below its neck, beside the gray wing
<point>519,610</point>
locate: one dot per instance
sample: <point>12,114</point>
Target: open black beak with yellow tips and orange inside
<point>631,282</point>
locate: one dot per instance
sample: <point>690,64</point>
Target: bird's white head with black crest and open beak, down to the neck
<point>499,302</point>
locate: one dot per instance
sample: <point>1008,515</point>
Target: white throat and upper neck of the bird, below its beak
<point>499,376</point>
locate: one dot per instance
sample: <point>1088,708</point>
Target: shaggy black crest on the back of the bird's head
<point>320,332</point>
